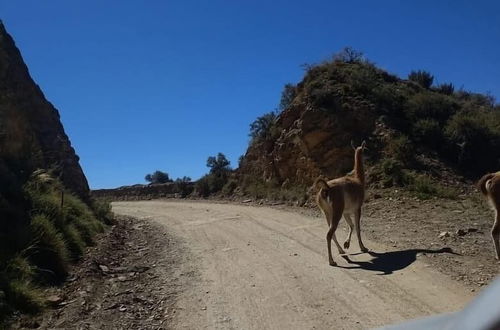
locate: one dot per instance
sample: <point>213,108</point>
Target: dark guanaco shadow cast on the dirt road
<point>389,262</point>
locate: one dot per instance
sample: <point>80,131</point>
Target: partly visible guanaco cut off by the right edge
<point>489,185</point>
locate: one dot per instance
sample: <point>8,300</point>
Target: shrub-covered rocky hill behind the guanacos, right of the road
<point>410,126</point>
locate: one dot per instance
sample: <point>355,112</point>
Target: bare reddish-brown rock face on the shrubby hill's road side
<point>312,143</point>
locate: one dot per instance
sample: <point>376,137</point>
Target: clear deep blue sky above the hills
<point>146,85</point>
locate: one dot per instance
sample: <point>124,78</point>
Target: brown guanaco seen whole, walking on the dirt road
<point>343,196</point>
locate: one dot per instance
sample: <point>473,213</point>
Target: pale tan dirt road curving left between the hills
<point>263,268</point>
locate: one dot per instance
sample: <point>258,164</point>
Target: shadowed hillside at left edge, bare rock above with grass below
<point>47,217</point>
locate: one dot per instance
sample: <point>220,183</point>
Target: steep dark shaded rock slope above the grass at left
<point>30,126</point>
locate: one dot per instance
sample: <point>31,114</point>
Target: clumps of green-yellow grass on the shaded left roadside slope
<point>53,234</point>
